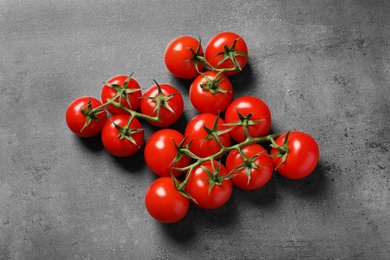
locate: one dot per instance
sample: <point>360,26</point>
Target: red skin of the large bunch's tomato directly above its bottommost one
<point>160,151</point>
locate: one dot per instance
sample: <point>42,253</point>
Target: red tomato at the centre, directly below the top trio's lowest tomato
<point>200,140</point>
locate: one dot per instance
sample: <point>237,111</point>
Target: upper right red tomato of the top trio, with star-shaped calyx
<point>225,49</point>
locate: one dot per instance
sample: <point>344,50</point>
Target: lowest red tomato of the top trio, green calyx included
<point>209,94</point>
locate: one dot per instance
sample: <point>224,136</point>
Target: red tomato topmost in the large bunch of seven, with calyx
<point>256,114</point>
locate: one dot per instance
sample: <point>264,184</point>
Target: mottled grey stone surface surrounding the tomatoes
<point>322,66</point>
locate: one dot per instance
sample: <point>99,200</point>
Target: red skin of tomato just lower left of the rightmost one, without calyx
<point>258,176</point>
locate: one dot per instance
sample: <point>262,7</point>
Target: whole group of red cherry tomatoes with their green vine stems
<point>221,146</point>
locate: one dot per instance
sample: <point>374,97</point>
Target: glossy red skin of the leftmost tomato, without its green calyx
<point>75,119</point>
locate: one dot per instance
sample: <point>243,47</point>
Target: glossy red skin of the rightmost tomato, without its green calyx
<point>302,157</point>
